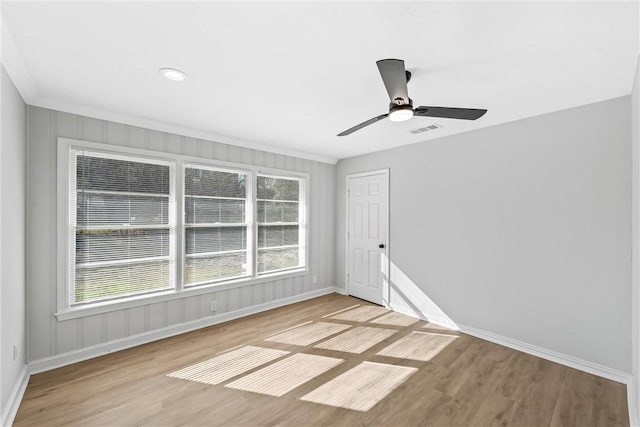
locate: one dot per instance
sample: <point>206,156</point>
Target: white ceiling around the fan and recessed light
<point>289,76</point>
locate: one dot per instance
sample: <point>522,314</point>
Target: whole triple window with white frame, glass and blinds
<point>136,224</point>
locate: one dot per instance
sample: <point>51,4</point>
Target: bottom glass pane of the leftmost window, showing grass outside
<point>106,282</point>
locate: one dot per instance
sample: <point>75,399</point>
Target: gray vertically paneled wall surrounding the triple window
<point>47,336</point>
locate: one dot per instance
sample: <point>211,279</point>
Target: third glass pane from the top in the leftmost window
<point>115,245</point>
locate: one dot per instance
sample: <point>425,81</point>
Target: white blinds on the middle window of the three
<point>216,225</point>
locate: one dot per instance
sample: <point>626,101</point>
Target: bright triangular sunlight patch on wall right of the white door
<point>405,297</point>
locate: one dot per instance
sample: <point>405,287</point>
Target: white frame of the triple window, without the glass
<point>64,250</point>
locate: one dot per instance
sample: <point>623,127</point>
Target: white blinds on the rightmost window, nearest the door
<point>280,223</point>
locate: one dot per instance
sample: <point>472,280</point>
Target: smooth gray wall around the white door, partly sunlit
<point>520,229</point>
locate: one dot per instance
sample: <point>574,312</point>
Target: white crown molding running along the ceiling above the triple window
<point>176,129</point>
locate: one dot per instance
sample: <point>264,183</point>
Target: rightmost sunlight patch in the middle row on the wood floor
<point>422,346</point>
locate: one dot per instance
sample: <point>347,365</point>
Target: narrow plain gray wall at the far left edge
<point>13,167</point>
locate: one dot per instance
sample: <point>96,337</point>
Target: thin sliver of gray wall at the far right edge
<point>635,300</point>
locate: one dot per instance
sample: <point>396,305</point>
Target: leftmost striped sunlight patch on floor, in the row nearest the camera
<point>228,365</point>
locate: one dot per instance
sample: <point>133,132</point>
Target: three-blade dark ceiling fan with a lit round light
<point>395,79</point>
